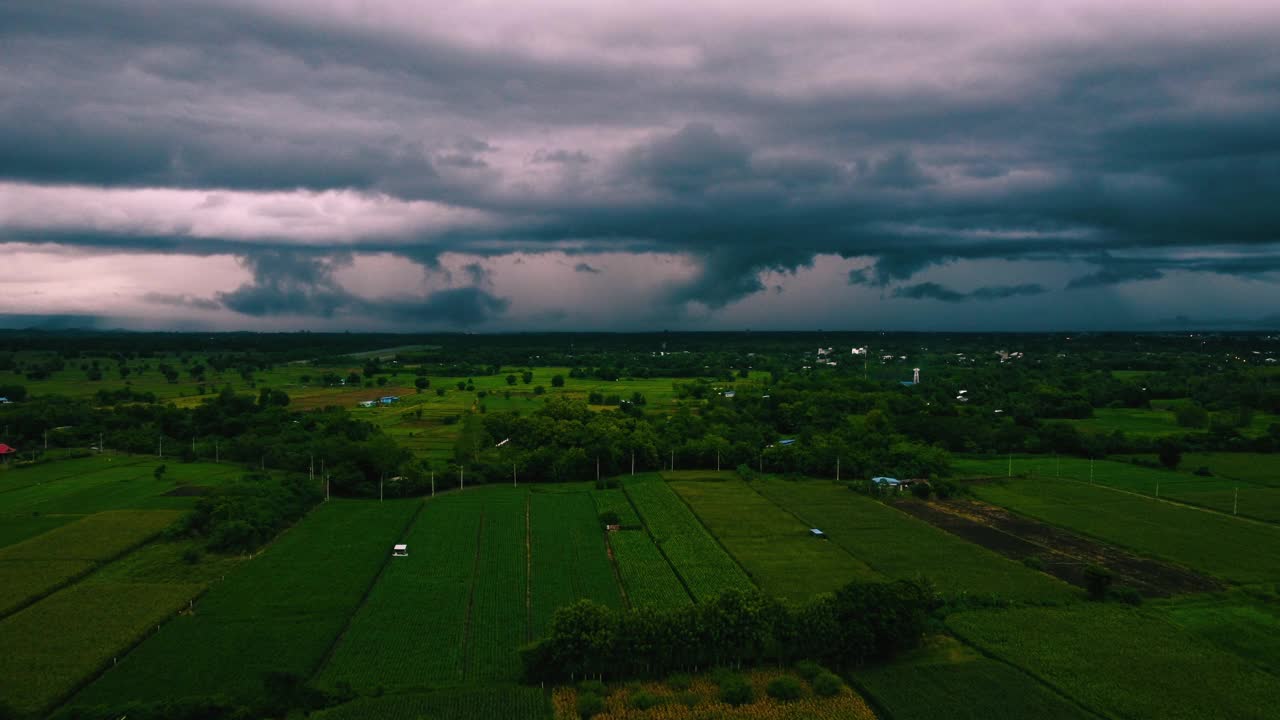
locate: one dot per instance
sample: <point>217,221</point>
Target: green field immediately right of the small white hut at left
<point>413,626</point>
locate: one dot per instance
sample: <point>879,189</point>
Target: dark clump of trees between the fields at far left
<point>244,516</point>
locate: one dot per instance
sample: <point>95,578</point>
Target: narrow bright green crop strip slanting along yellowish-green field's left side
<point>693,553</point>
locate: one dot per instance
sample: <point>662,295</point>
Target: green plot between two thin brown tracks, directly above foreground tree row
<point>569,557</point>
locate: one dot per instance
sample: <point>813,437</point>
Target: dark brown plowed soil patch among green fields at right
<point>1063,554</point>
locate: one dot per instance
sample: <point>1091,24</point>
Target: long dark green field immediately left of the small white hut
<point>280,612</point>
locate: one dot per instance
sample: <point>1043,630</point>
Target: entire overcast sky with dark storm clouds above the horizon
<point>598,165</point>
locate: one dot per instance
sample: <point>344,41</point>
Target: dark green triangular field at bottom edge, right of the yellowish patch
<point>949,681</point>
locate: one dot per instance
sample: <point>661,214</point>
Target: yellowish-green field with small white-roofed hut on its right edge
<point>775,548</point>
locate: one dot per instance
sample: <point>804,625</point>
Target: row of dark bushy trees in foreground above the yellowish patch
<point>858,625</point>
